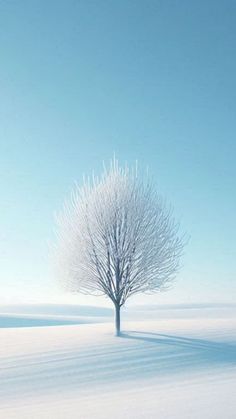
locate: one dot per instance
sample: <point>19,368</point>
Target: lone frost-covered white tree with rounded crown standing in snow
<point>117,237</point>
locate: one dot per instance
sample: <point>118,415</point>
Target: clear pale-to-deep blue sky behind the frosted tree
<point>152,81</point>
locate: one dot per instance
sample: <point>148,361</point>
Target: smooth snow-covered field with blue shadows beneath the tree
<point>179,364</point>
